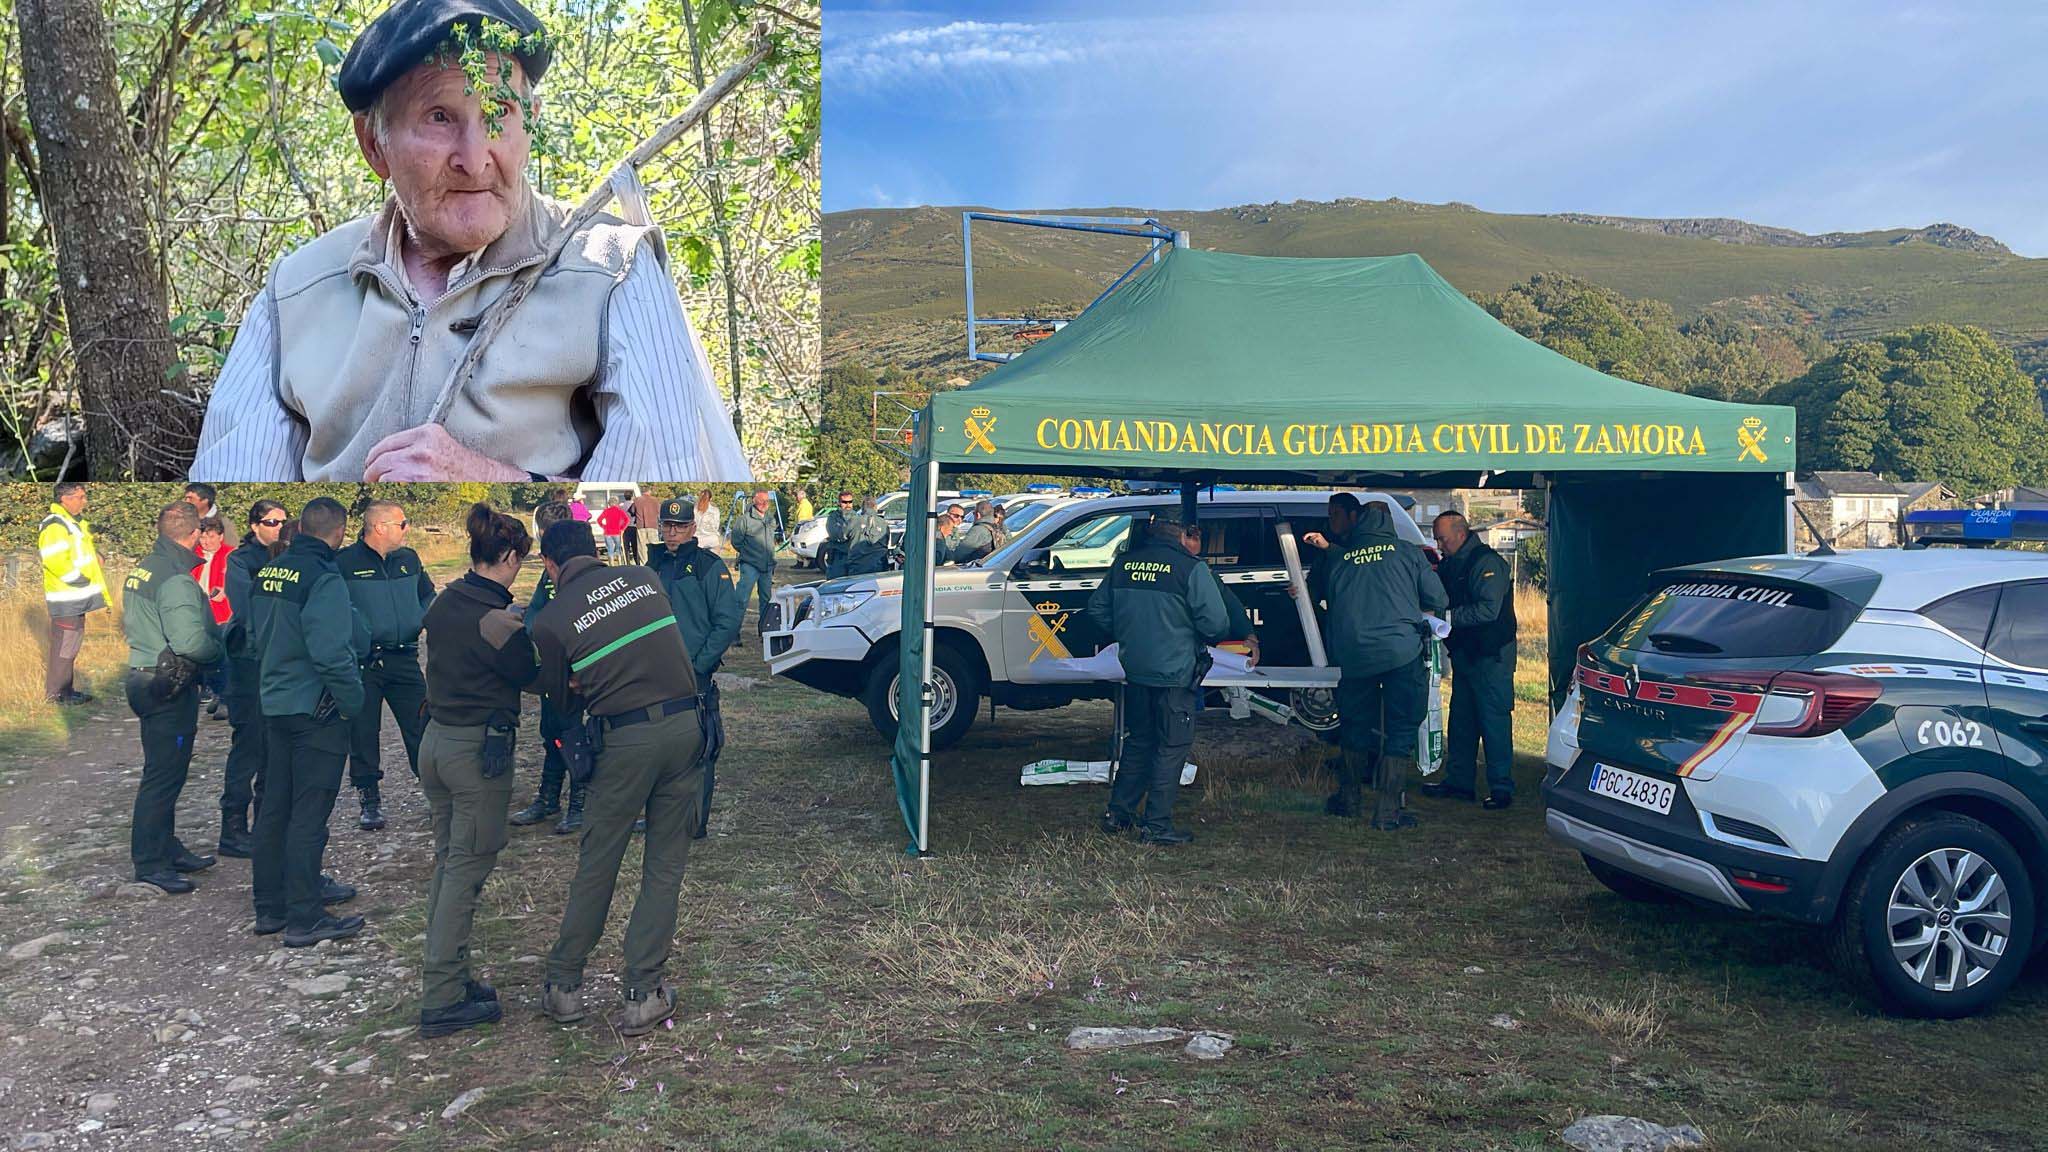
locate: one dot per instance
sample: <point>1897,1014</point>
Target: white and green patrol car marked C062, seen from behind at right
<point>1854,741</point>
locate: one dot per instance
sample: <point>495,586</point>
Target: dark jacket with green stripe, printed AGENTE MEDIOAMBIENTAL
<point>613,632</point>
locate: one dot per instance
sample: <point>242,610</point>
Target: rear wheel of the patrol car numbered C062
<point>1938,919</point>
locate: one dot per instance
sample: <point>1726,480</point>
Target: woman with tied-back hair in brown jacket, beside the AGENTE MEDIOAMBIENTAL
<point>478,659</point>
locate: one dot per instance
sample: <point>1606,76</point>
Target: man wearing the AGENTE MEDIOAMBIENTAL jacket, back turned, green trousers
<point>611,651</point>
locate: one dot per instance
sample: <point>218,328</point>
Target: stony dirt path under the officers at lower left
<point>163,1022</point>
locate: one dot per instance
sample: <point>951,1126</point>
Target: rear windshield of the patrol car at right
<point>1717,616</point>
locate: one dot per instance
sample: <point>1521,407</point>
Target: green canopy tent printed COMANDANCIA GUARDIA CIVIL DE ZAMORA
<point>1363,372</point>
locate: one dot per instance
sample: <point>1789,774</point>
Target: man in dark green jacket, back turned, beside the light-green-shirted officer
<point>310,649</point>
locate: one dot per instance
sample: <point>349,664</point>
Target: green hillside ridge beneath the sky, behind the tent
<point>892,288</point>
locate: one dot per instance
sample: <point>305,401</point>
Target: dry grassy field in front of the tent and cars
<point>1463,985</point>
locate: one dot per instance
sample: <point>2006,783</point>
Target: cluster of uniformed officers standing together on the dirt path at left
<point>325,636</point>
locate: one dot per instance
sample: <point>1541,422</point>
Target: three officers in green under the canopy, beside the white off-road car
<point>1164,608</point>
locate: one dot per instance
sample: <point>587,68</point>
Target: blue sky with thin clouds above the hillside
<point>1822,118</point>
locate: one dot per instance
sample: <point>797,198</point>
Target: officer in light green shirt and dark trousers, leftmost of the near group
<point>171,641</point>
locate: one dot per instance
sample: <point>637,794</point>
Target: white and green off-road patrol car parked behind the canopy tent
<point>1007,620</point>
